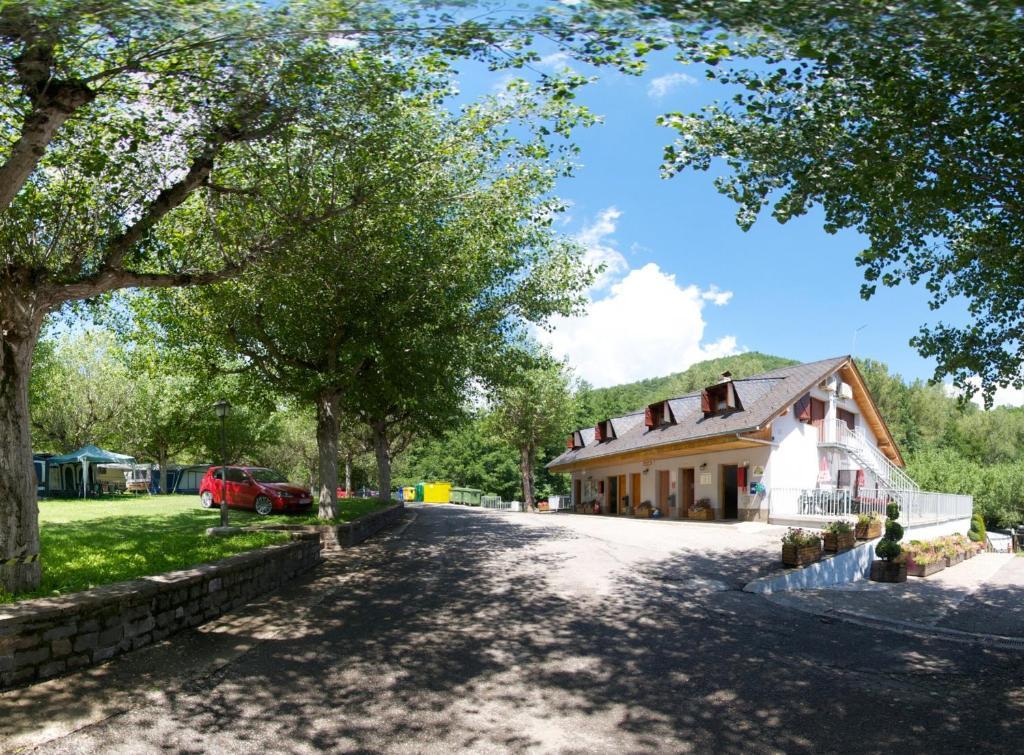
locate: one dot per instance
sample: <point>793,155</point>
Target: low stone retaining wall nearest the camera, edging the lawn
<point>49,637</point>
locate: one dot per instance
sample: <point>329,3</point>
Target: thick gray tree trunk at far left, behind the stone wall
<point>19,513</point>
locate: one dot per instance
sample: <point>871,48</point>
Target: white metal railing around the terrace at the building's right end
<point>917,508</point>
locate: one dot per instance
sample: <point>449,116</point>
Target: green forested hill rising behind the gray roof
<point>599,404</point>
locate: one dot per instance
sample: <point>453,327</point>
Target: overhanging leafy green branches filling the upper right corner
<point>903,121</point>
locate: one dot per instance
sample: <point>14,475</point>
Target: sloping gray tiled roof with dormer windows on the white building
<point>761,397</point>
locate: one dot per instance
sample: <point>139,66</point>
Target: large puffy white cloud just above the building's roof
<point>648,325</point>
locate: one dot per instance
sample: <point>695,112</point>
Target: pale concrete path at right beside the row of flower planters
<point>984,595</point>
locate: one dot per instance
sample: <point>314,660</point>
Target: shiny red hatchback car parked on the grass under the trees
<point>259,489</point>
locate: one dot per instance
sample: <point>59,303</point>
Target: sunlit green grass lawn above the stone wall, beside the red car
<point>97,542</point>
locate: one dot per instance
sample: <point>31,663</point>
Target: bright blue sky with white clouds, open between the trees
<point>684,282</point>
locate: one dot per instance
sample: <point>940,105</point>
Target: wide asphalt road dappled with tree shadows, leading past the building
<point>488,633</point>
